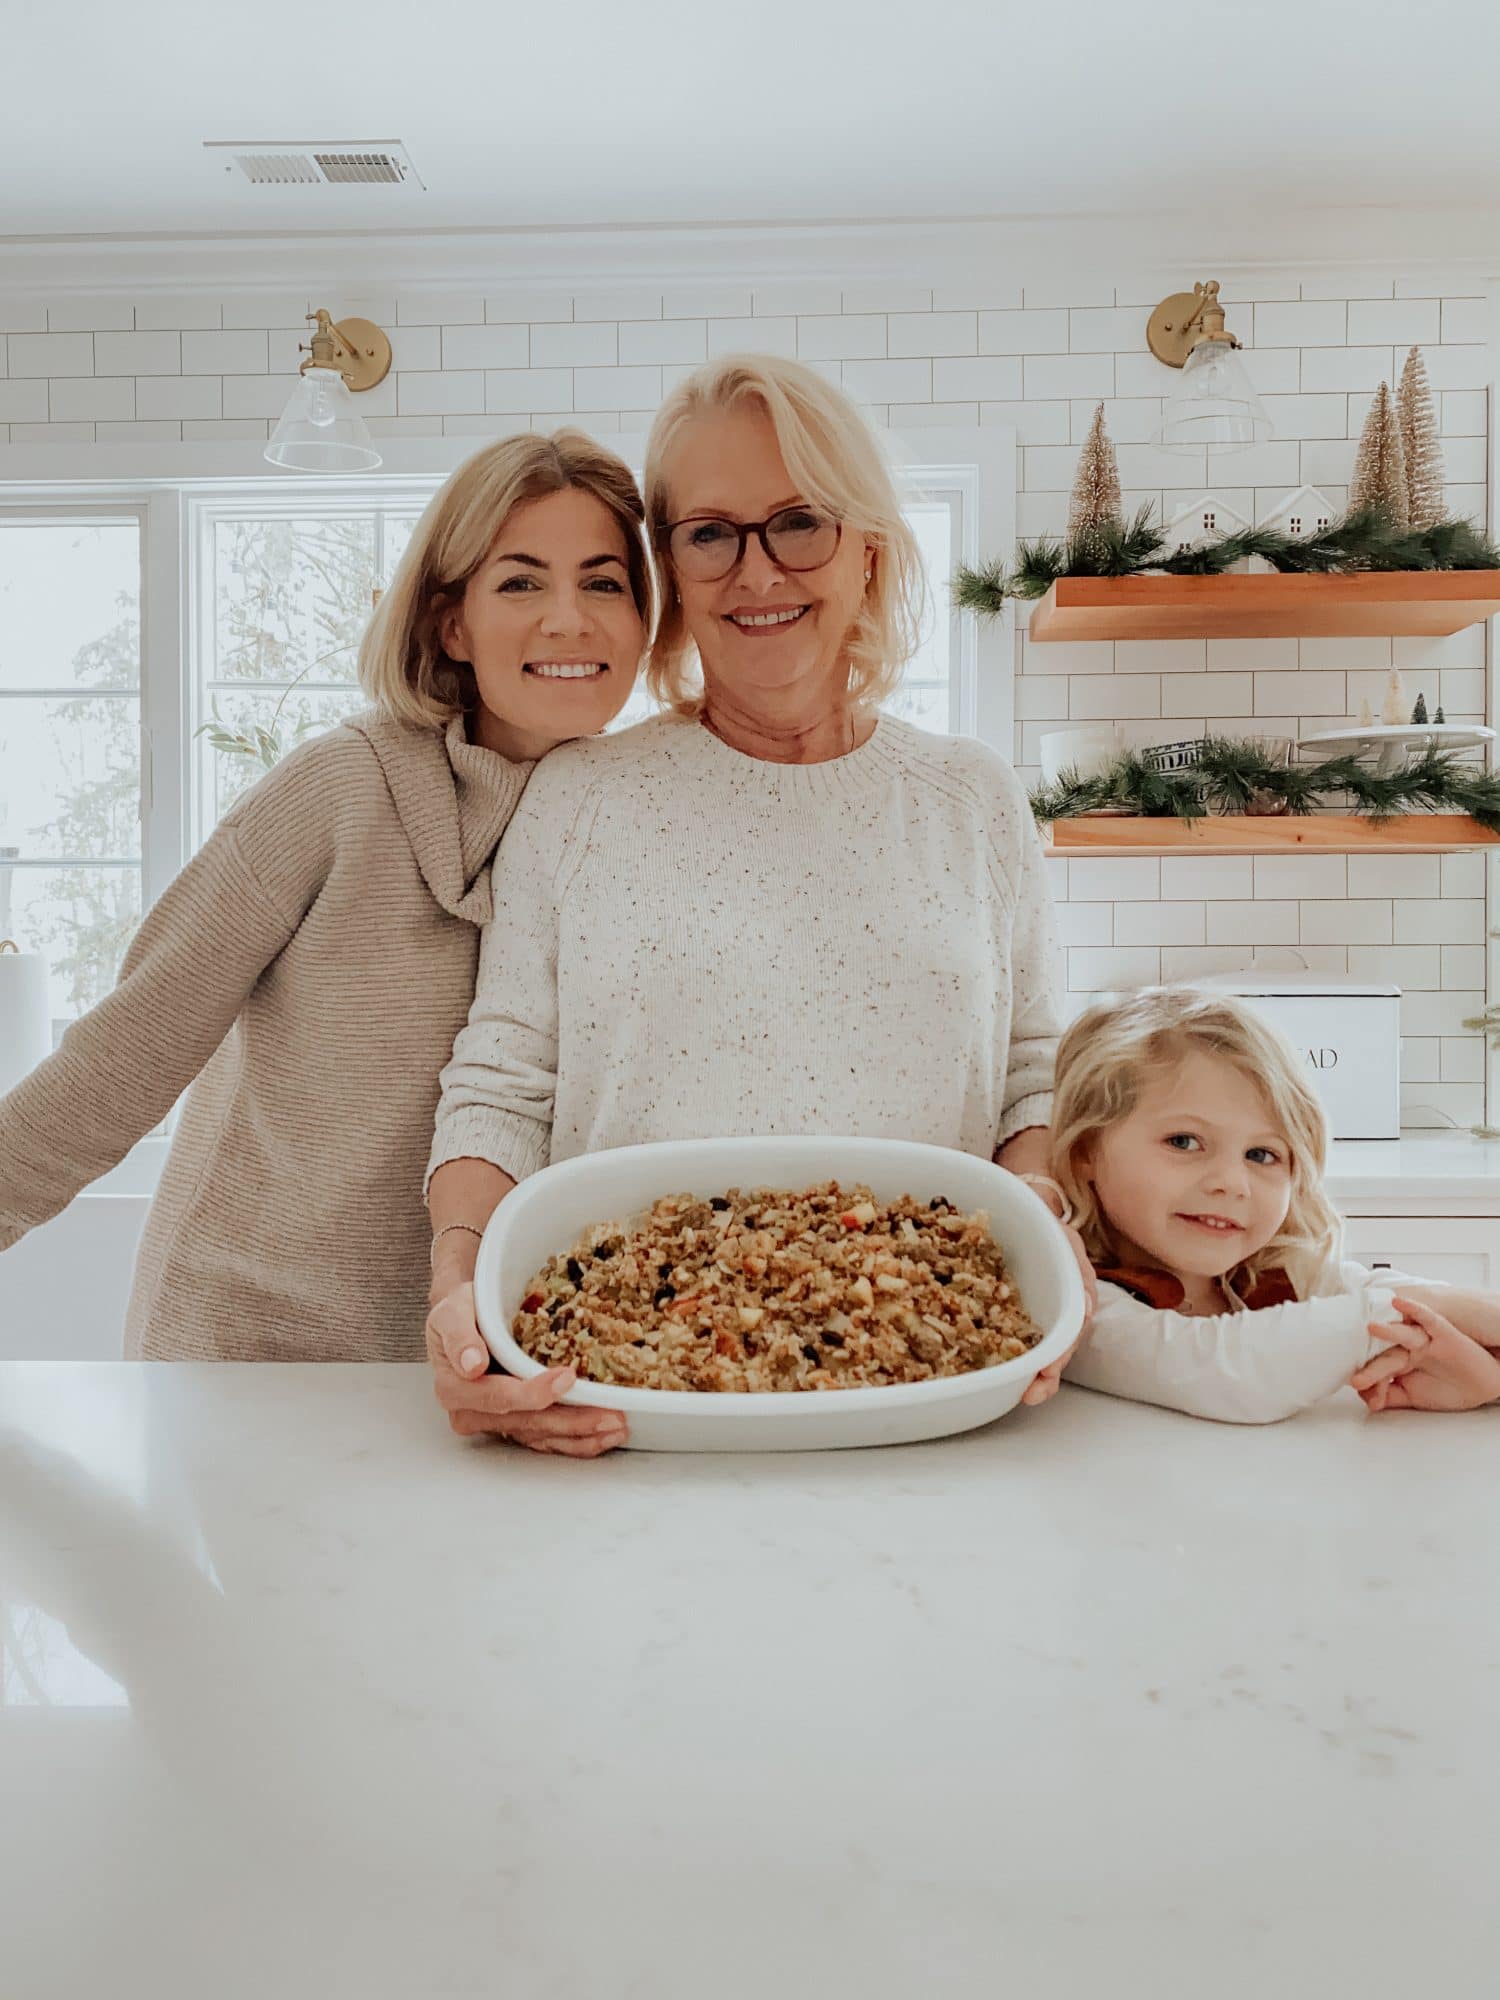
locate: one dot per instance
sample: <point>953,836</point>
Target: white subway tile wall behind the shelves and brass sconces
<point>163,369</point>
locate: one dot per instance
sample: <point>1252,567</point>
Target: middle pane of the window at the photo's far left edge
<point>71,777</point>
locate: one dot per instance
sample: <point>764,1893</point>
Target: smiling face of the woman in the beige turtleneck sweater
<point>549,627</point>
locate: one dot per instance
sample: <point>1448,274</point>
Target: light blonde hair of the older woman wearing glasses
<point>837,463</point>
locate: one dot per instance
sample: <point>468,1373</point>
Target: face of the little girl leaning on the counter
<point>1197,1179</point>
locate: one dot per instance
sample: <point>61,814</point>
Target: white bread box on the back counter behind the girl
<point>1347,1033</point>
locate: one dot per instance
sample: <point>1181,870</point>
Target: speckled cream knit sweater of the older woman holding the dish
<point>701,943</point>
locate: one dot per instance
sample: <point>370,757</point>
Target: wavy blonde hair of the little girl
<point>1117,1047</point>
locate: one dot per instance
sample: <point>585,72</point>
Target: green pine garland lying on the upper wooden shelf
<point>1363,541</point>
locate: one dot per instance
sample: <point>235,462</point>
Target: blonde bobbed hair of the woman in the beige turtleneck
<point>403,665</point>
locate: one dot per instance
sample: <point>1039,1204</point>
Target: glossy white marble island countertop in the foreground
<point>307,1699</point>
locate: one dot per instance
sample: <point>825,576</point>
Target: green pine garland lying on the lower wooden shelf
<point>1237,777</point>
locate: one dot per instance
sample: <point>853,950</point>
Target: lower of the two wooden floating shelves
<point>1317,833</point>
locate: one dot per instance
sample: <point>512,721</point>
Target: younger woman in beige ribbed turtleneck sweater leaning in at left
<point>311,967</point>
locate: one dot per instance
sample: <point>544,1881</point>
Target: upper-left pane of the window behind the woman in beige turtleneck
<point>291,595</point>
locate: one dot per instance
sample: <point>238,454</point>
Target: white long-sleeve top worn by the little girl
<point>1247,1367</point>
